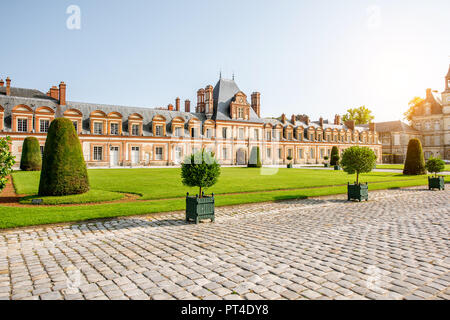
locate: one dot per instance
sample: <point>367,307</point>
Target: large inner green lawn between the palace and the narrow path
<point>166,183</point>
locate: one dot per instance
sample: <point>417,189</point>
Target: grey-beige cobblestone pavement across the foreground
<point>395,246</point>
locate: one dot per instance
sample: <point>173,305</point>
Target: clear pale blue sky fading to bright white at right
<point>314,57</point>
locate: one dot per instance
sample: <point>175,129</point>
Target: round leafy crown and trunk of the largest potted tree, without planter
<point>200,170</point>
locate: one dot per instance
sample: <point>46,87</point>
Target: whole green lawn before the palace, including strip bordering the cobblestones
<point>163,186</point>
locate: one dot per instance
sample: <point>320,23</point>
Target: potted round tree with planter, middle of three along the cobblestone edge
<point>358,160</point>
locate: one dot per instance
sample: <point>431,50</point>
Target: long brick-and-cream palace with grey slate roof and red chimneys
<point>225,120</point>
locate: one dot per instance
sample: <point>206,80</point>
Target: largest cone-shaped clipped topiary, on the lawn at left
<point>63,168</point>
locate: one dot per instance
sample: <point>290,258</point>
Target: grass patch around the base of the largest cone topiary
<point>92,196</point>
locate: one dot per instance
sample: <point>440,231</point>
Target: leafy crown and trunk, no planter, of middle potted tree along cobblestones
<point>358,160</point>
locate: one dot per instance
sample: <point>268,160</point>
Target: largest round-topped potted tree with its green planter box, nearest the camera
<point>200,170</point>
